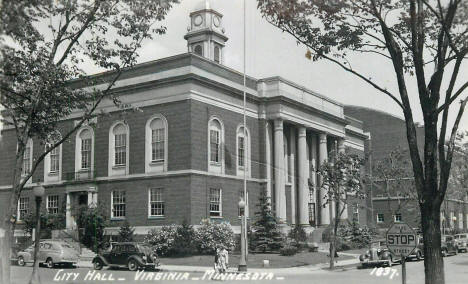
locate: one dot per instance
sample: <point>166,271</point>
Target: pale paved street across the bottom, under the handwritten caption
<point>456,273</point>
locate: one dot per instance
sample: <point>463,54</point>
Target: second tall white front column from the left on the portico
<point>303,190</point>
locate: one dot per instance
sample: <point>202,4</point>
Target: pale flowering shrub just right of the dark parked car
<point>162,240</point>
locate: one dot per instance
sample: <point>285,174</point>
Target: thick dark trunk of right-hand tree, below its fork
<point>433,261</point>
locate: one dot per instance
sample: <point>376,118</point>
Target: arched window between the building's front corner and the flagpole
<point>215,145</point>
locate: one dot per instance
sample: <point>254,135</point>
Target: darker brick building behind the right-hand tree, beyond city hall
<point>388,133</point>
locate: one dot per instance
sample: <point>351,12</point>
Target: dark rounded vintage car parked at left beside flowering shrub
<point>127,254</point>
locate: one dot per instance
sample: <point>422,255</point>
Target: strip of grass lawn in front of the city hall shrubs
<point>255,260</point>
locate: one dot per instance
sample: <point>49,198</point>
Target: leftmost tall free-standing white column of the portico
<point>280,198</point>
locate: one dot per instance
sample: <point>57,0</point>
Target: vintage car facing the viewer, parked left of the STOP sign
<point>378,255</point>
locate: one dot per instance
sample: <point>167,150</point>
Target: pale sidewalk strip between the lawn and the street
<point>347,264</point>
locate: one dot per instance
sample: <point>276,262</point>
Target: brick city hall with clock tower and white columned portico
<point>184,154</point>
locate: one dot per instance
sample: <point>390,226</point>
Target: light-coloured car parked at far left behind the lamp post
<point>50,252</point>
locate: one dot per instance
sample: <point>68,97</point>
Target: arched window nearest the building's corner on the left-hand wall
<point>156,144</point>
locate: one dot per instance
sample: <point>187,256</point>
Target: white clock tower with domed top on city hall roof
<point>205,35</point>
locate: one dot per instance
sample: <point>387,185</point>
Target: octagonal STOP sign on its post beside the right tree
<point>401,240</point>
